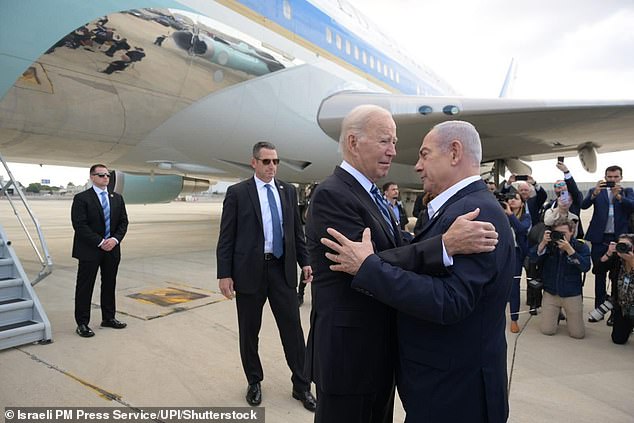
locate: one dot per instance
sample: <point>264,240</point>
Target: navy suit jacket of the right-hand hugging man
<point>451,324</point>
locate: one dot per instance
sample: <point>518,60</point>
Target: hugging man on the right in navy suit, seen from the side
<point>451,322</point>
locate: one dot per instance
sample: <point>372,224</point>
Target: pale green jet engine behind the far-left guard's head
<point>137,188</point>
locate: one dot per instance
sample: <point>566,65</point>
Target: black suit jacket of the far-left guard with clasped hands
<point>90,227</point>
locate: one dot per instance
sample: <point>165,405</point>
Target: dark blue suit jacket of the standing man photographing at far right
<point>622,210</point>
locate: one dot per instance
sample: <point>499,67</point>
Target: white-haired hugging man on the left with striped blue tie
<point>352,342</point>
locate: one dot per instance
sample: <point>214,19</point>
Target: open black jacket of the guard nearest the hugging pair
<point>240,250</point>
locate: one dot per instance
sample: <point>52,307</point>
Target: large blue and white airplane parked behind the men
<point>174,93</point>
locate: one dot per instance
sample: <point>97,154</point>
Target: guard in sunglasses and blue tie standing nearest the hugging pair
<point>261,242</point>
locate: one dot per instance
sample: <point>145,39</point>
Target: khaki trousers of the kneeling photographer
<point>573,307</point>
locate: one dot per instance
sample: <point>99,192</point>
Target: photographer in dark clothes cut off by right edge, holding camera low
<point>620,259</point>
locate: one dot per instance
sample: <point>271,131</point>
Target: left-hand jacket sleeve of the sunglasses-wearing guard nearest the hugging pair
<point>227,236</point>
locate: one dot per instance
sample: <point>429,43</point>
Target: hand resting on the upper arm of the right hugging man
<point>467,236</point>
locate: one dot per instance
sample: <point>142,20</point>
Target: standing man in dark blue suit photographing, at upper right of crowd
<point>612,207</point>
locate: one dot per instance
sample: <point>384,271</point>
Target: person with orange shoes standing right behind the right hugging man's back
<point>520,222</point>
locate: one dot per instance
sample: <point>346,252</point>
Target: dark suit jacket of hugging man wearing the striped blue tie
<point>351,342</point>
